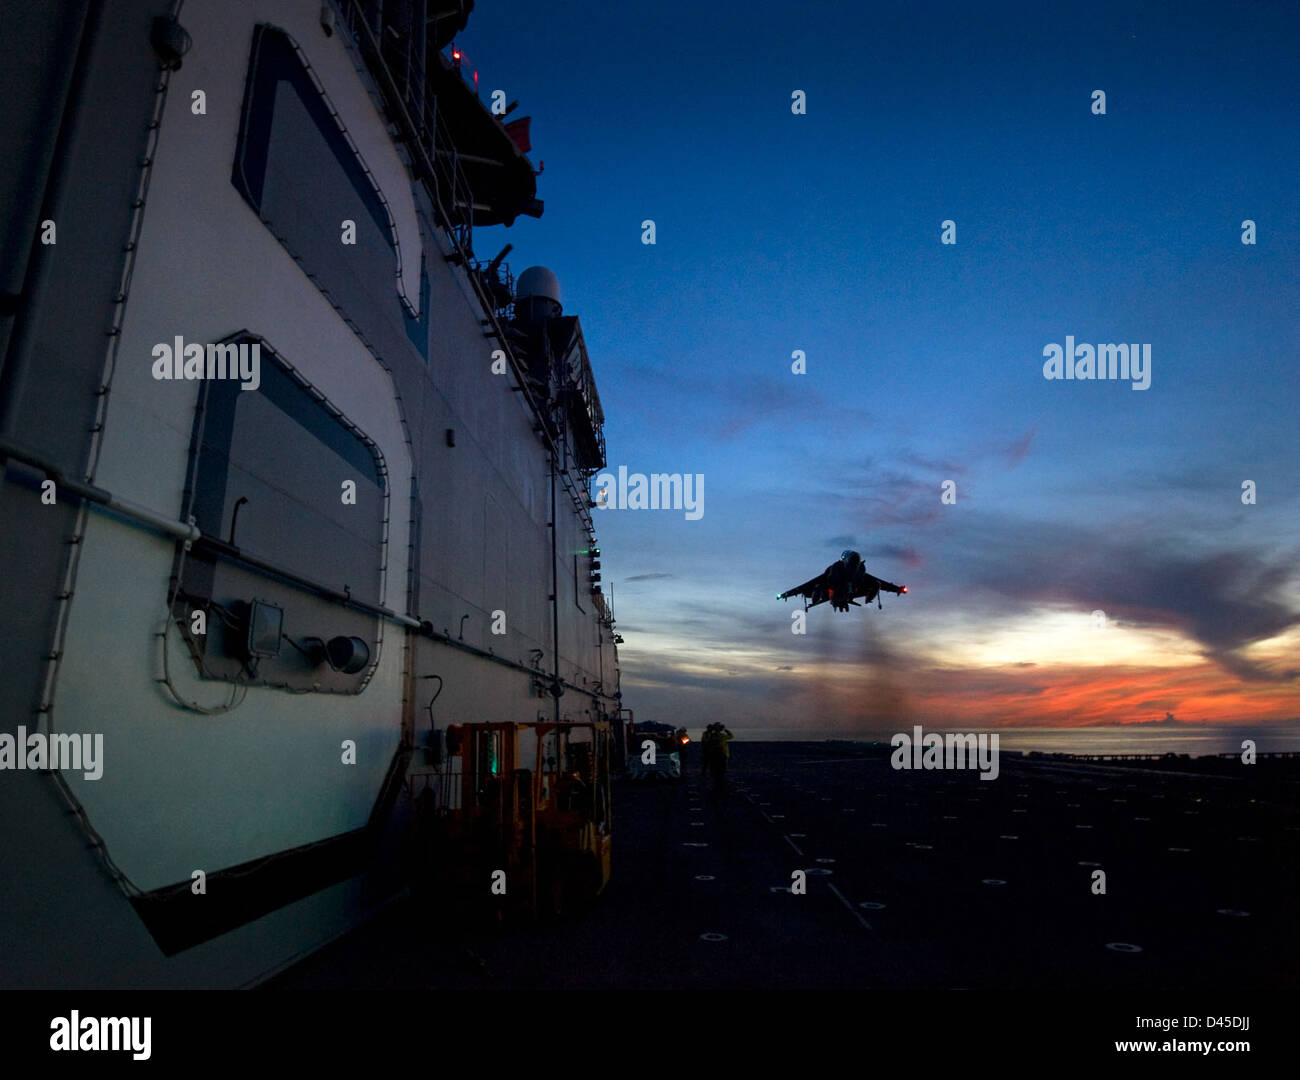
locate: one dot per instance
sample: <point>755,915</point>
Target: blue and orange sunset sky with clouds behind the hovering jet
<point>925,362</point>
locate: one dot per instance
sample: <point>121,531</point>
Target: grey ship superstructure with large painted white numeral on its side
<point>292,480</point>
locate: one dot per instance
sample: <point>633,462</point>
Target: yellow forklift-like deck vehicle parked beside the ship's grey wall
<point>515,842</point>
